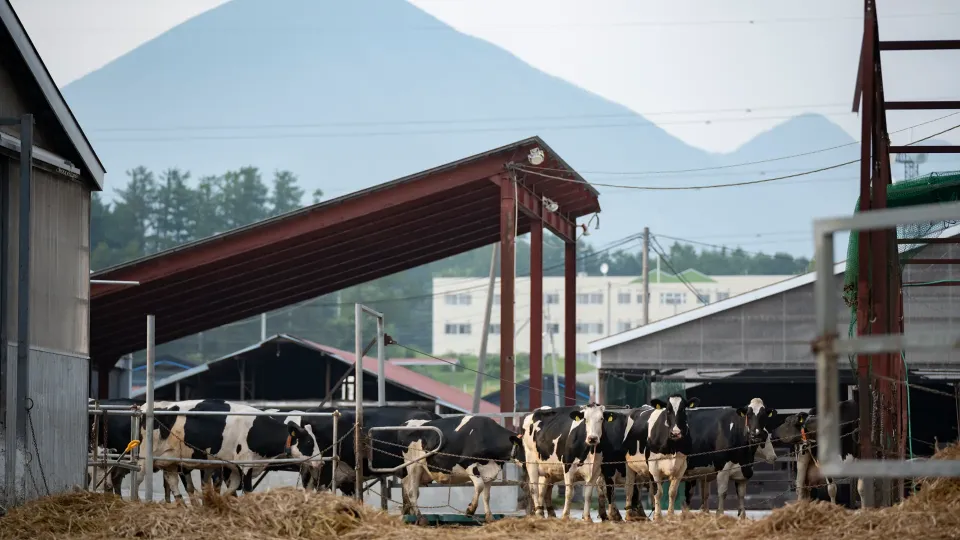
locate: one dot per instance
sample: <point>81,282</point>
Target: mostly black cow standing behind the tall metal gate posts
<point>386,444</point>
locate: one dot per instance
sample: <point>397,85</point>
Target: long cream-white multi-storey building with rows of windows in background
<point>459,303</point>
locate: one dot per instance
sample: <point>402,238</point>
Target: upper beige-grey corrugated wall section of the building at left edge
<point>59,263</point>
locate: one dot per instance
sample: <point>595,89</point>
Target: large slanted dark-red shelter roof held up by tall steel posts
<point>323,248</point>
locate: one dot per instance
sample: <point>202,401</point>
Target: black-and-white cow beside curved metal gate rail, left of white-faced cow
<point>473,449</point>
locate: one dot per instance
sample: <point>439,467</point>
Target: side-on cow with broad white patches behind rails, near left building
<point>225,438</point>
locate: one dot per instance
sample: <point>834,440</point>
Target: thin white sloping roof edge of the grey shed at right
<point>728,304</point>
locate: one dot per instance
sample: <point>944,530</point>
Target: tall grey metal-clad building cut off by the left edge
<point>47,173</point>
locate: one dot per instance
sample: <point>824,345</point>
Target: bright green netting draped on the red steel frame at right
<point>929,189</point>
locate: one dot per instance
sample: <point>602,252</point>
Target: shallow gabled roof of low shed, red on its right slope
<point>412,381</point>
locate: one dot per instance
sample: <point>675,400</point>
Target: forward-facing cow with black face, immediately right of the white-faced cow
<point>658,443</point>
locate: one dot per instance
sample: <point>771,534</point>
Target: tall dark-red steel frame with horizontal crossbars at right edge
<point>879,291</point>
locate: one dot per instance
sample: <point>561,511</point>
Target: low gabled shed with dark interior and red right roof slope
<point>288,372</point>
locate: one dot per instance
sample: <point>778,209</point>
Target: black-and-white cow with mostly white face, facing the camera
<point>564,444</point>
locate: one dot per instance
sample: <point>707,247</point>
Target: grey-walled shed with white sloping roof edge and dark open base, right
<point>758,344</point>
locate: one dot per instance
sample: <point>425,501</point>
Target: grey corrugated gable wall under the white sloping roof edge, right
<point>776,332</point>
